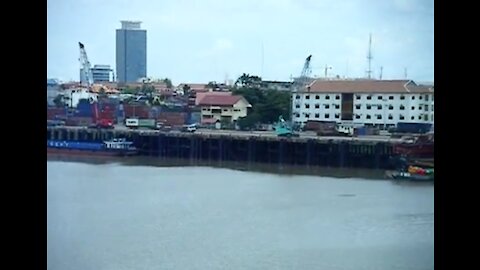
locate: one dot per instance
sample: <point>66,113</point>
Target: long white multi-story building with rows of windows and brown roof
<point>364,102</point>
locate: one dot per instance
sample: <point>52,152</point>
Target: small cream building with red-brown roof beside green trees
<point>223,108</point>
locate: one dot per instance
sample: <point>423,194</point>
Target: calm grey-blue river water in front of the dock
<point>111,215</point>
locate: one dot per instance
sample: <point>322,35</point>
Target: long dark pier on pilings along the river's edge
<point>252,147</point>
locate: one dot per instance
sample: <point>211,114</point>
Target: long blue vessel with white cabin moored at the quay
<point>114,147</point>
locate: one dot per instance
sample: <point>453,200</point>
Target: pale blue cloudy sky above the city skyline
<point>197,41</point>
